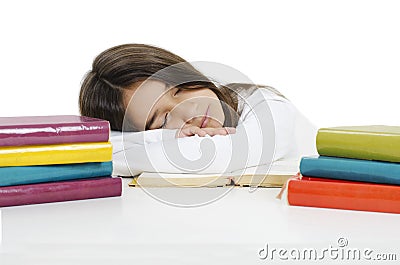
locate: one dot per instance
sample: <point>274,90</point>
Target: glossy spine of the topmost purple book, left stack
<point>44,134</point>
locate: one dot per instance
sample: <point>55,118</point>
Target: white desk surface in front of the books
<point>137,229</point>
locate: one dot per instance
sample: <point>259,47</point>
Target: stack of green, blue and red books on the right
<point>358,169</point>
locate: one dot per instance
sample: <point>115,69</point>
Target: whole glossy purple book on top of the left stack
<point>58,129</point>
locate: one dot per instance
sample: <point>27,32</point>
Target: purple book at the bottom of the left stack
<point>60,191</point>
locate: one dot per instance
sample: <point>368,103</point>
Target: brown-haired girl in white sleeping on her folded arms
<point>138,87</point>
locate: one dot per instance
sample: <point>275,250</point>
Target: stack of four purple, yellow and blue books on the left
<point>55,158</point>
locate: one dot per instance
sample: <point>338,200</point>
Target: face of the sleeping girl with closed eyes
<point>153,104</point>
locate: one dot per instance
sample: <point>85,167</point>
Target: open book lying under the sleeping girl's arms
<point>268,175</point>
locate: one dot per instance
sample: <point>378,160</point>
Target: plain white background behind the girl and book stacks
<point>338,61</point>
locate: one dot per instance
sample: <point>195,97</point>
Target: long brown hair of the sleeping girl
<point>117,68</point>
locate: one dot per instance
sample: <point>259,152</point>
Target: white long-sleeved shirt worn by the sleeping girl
<point>270,128</point>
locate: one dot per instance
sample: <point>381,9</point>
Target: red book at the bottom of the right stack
<point>342,194</point>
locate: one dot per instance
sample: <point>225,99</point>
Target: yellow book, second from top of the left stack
<point>55,154</point>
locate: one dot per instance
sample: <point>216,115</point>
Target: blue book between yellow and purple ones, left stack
<point>10,176</point>
